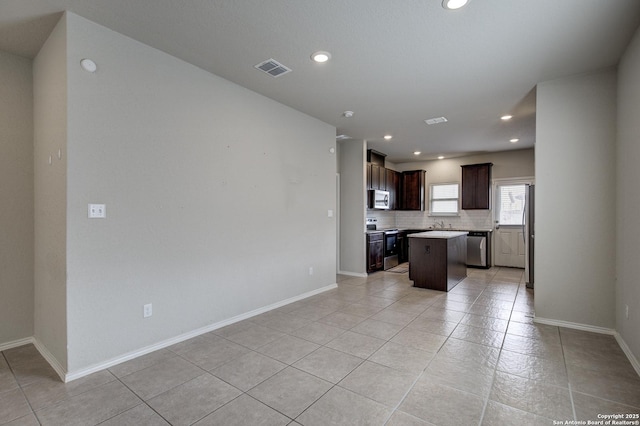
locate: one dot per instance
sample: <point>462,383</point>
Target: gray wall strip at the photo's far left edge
<point>16,198</point>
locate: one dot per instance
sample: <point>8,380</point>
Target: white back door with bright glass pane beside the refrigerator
<point>509,233</point>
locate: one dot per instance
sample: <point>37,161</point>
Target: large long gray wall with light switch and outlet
<point>217,198</point>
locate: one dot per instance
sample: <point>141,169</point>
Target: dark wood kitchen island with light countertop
<point>437,259</point>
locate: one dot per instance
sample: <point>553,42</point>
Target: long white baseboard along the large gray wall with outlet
<point>73,375</point>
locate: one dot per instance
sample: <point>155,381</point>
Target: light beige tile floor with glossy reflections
<point>374,351</point>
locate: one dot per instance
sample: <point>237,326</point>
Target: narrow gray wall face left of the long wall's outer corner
<point>50,177</point>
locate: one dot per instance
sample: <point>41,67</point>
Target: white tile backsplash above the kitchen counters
<point>467,220</point>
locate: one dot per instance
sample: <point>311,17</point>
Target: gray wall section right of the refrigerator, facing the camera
<point>575,199</point>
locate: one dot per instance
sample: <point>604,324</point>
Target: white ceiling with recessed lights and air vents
<point>394,63</point>
